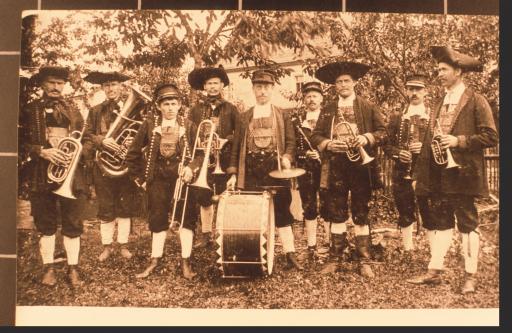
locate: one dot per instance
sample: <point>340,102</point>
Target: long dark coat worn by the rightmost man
<point>474,126</point>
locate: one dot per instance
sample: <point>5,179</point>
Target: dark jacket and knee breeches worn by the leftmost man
<point>47,208</point>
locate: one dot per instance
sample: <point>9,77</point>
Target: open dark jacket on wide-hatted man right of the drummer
<point>369,121</point>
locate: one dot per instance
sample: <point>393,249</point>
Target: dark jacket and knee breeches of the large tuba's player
<point>116,195</point>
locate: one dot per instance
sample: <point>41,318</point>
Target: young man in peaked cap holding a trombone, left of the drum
<point>166,136</point>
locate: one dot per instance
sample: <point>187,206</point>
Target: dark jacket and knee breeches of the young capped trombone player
<point>164,148</point>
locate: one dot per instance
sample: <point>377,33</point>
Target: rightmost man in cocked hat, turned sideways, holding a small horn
<point>450,168</point>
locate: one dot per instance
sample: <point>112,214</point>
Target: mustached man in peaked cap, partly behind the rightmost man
<point>405,131</point>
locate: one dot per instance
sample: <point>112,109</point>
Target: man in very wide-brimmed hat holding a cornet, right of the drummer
<point>347,132</point>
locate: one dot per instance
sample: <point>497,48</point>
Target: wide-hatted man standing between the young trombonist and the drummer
<point>224,115</point>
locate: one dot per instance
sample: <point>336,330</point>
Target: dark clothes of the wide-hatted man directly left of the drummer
<point>223,114</point>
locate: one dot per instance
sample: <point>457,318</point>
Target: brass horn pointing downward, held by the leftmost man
<point>65,175</point>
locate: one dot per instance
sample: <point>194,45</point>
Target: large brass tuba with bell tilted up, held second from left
<point>123,130</point>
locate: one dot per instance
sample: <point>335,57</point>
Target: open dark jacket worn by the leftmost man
<point>33,140</point>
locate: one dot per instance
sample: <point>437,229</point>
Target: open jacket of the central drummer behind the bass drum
<point>285,142</point>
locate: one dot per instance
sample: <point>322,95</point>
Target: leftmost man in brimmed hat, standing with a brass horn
<point>47,121</point>
